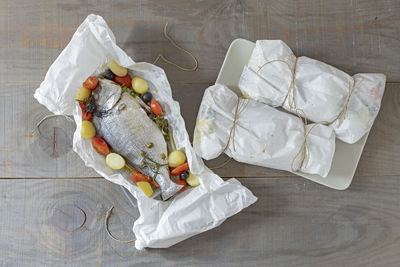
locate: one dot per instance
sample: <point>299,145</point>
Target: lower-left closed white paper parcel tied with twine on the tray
<point>255,133</point>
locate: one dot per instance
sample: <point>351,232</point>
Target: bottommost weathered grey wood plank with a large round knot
<point>294,223</point>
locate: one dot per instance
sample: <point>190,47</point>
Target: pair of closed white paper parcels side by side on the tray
<point>252,129</point>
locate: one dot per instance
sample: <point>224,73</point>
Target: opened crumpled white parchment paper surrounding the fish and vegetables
<point>161,223</point>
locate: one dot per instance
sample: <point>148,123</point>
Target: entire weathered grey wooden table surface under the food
<point>52,207</point>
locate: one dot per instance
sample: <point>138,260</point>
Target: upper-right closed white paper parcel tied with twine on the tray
<point>349,104</point>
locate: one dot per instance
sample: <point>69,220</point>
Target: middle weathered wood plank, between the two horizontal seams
<point>23,155</point>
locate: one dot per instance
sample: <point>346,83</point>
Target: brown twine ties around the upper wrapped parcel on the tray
<point>291,93</point>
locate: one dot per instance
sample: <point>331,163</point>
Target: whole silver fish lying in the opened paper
<point>122,122</point>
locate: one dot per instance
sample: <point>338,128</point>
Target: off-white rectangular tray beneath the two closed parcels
<point>346,156</point>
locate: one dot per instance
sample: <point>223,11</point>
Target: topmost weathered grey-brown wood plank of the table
<point>357,36</point>
